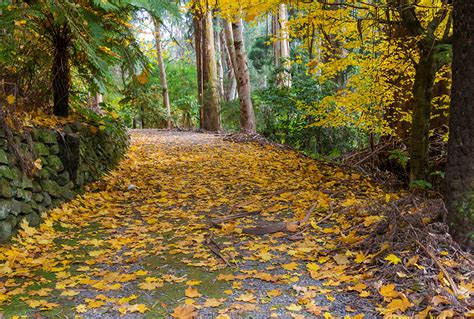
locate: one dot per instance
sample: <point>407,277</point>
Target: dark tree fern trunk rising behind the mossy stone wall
<point>61,73</point>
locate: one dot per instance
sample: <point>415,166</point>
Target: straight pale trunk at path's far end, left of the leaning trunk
<point>211,107</point>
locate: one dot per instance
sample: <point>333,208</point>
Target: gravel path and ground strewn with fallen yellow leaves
<point>191,225</point>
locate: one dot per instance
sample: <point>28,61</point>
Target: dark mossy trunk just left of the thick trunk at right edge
<point>420,129</point>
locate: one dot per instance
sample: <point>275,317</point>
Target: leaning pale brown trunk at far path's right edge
<point>247,115</point>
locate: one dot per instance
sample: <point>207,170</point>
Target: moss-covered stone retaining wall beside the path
<point>69,157</point>
